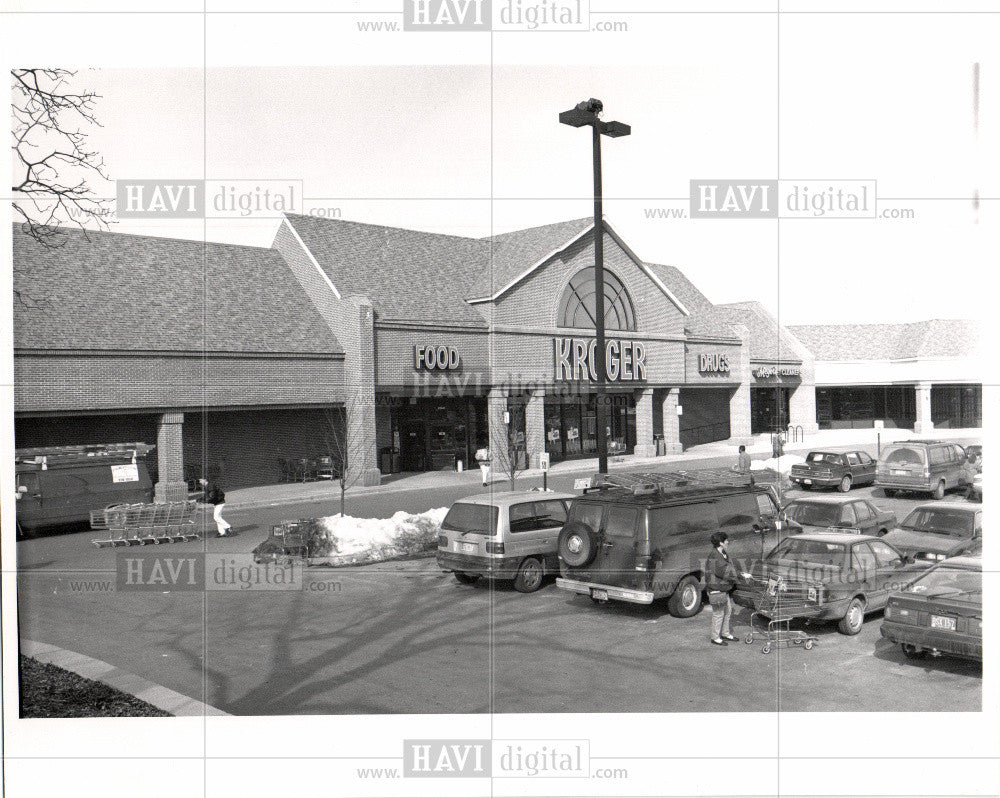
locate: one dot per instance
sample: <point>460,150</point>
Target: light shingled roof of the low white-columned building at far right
<point>931,338</point>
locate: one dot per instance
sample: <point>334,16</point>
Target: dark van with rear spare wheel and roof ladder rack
<point>649,541</point>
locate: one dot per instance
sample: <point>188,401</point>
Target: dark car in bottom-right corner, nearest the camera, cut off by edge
<point>940,612</point>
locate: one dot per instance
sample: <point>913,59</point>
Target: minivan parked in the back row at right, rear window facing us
<point>923,467</point>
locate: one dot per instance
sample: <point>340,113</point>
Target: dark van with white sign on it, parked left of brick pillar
<point>60,485</point>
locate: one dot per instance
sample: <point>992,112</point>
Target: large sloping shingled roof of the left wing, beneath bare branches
<point>111,291</point>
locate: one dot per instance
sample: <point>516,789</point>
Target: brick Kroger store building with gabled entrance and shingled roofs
<point>399,350</point>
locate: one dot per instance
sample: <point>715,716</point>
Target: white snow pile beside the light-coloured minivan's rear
<point>346,540</point>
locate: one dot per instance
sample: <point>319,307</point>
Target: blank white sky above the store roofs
<point>427,146</point>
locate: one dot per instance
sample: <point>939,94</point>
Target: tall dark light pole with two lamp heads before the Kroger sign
<point>588,113</point>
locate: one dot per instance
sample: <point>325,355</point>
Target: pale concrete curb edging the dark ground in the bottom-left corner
<point>160,697</point>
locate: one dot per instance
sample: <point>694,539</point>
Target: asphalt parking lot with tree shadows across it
<point>404,637</point>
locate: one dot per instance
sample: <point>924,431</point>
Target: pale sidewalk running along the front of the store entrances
<point>298,492</point>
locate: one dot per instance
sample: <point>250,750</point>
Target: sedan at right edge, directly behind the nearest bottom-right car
<point>938,530</point>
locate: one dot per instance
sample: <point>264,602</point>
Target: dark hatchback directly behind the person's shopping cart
<point>837,576</point>
